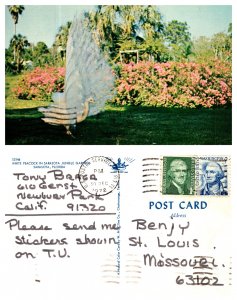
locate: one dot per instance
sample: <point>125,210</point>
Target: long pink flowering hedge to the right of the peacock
<point>174,84</point>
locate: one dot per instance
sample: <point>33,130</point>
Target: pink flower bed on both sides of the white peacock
<point>171,84</point>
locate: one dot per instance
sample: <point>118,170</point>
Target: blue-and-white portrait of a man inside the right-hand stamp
<point>213,178</point>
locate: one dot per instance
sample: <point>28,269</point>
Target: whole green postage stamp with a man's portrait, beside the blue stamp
<point>178,174</point>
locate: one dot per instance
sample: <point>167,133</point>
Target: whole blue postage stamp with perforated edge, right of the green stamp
<point>211,176</point>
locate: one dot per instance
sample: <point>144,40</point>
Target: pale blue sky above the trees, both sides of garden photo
<point>41,22</point>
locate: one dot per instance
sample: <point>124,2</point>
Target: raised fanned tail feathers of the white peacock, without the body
<point>87,72</point>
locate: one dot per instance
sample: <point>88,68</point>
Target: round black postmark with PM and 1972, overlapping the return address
<point>97,177</point>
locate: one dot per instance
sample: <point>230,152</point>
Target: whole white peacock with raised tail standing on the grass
<point>89,81</point>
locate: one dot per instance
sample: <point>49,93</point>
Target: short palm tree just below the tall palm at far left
<point>19,43</point>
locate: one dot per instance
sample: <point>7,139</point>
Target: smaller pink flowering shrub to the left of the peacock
<point>40,83</point>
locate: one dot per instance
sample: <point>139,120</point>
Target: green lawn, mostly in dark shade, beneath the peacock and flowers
<point>118,125</point>
